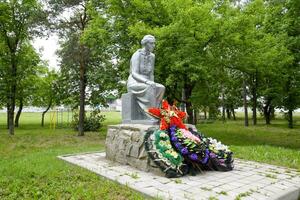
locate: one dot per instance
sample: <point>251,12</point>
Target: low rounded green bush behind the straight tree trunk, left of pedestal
<point>92,122</point>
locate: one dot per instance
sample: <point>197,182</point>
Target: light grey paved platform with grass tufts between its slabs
<point>249,180</point>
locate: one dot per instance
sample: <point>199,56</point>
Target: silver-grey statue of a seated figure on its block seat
<point>142,90</point>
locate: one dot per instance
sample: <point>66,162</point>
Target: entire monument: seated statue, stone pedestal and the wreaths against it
<point>163,144</point>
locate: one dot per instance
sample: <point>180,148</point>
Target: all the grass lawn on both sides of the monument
<point>29,168</point>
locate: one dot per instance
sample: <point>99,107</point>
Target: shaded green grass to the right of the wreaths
<point>274,144</point>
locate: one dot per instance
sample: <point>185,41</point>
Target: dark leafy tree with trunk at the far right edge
<point>283,22</point>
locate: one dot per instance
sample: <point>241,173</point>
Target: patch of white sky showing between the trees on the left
<point>47,48</point>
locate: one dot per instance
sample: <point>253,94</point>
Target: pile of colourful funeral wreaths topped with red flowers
<point>177,150</point>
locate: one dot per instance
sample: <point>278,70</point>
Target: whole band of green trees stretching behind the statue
<point>212,56</point>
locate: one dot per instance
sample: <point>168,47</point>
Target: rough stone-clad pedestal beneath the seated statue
<point>125,144</point>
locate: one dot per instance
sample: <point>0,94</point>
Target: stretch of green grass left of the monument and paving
<point>29,168</point>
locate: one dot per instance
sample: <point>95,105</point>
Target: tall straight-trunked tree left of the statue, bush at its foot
<point>74,54</point>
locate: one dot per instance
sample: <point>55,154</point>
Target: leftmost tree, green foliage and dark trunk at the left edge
<point>19,22</point>
